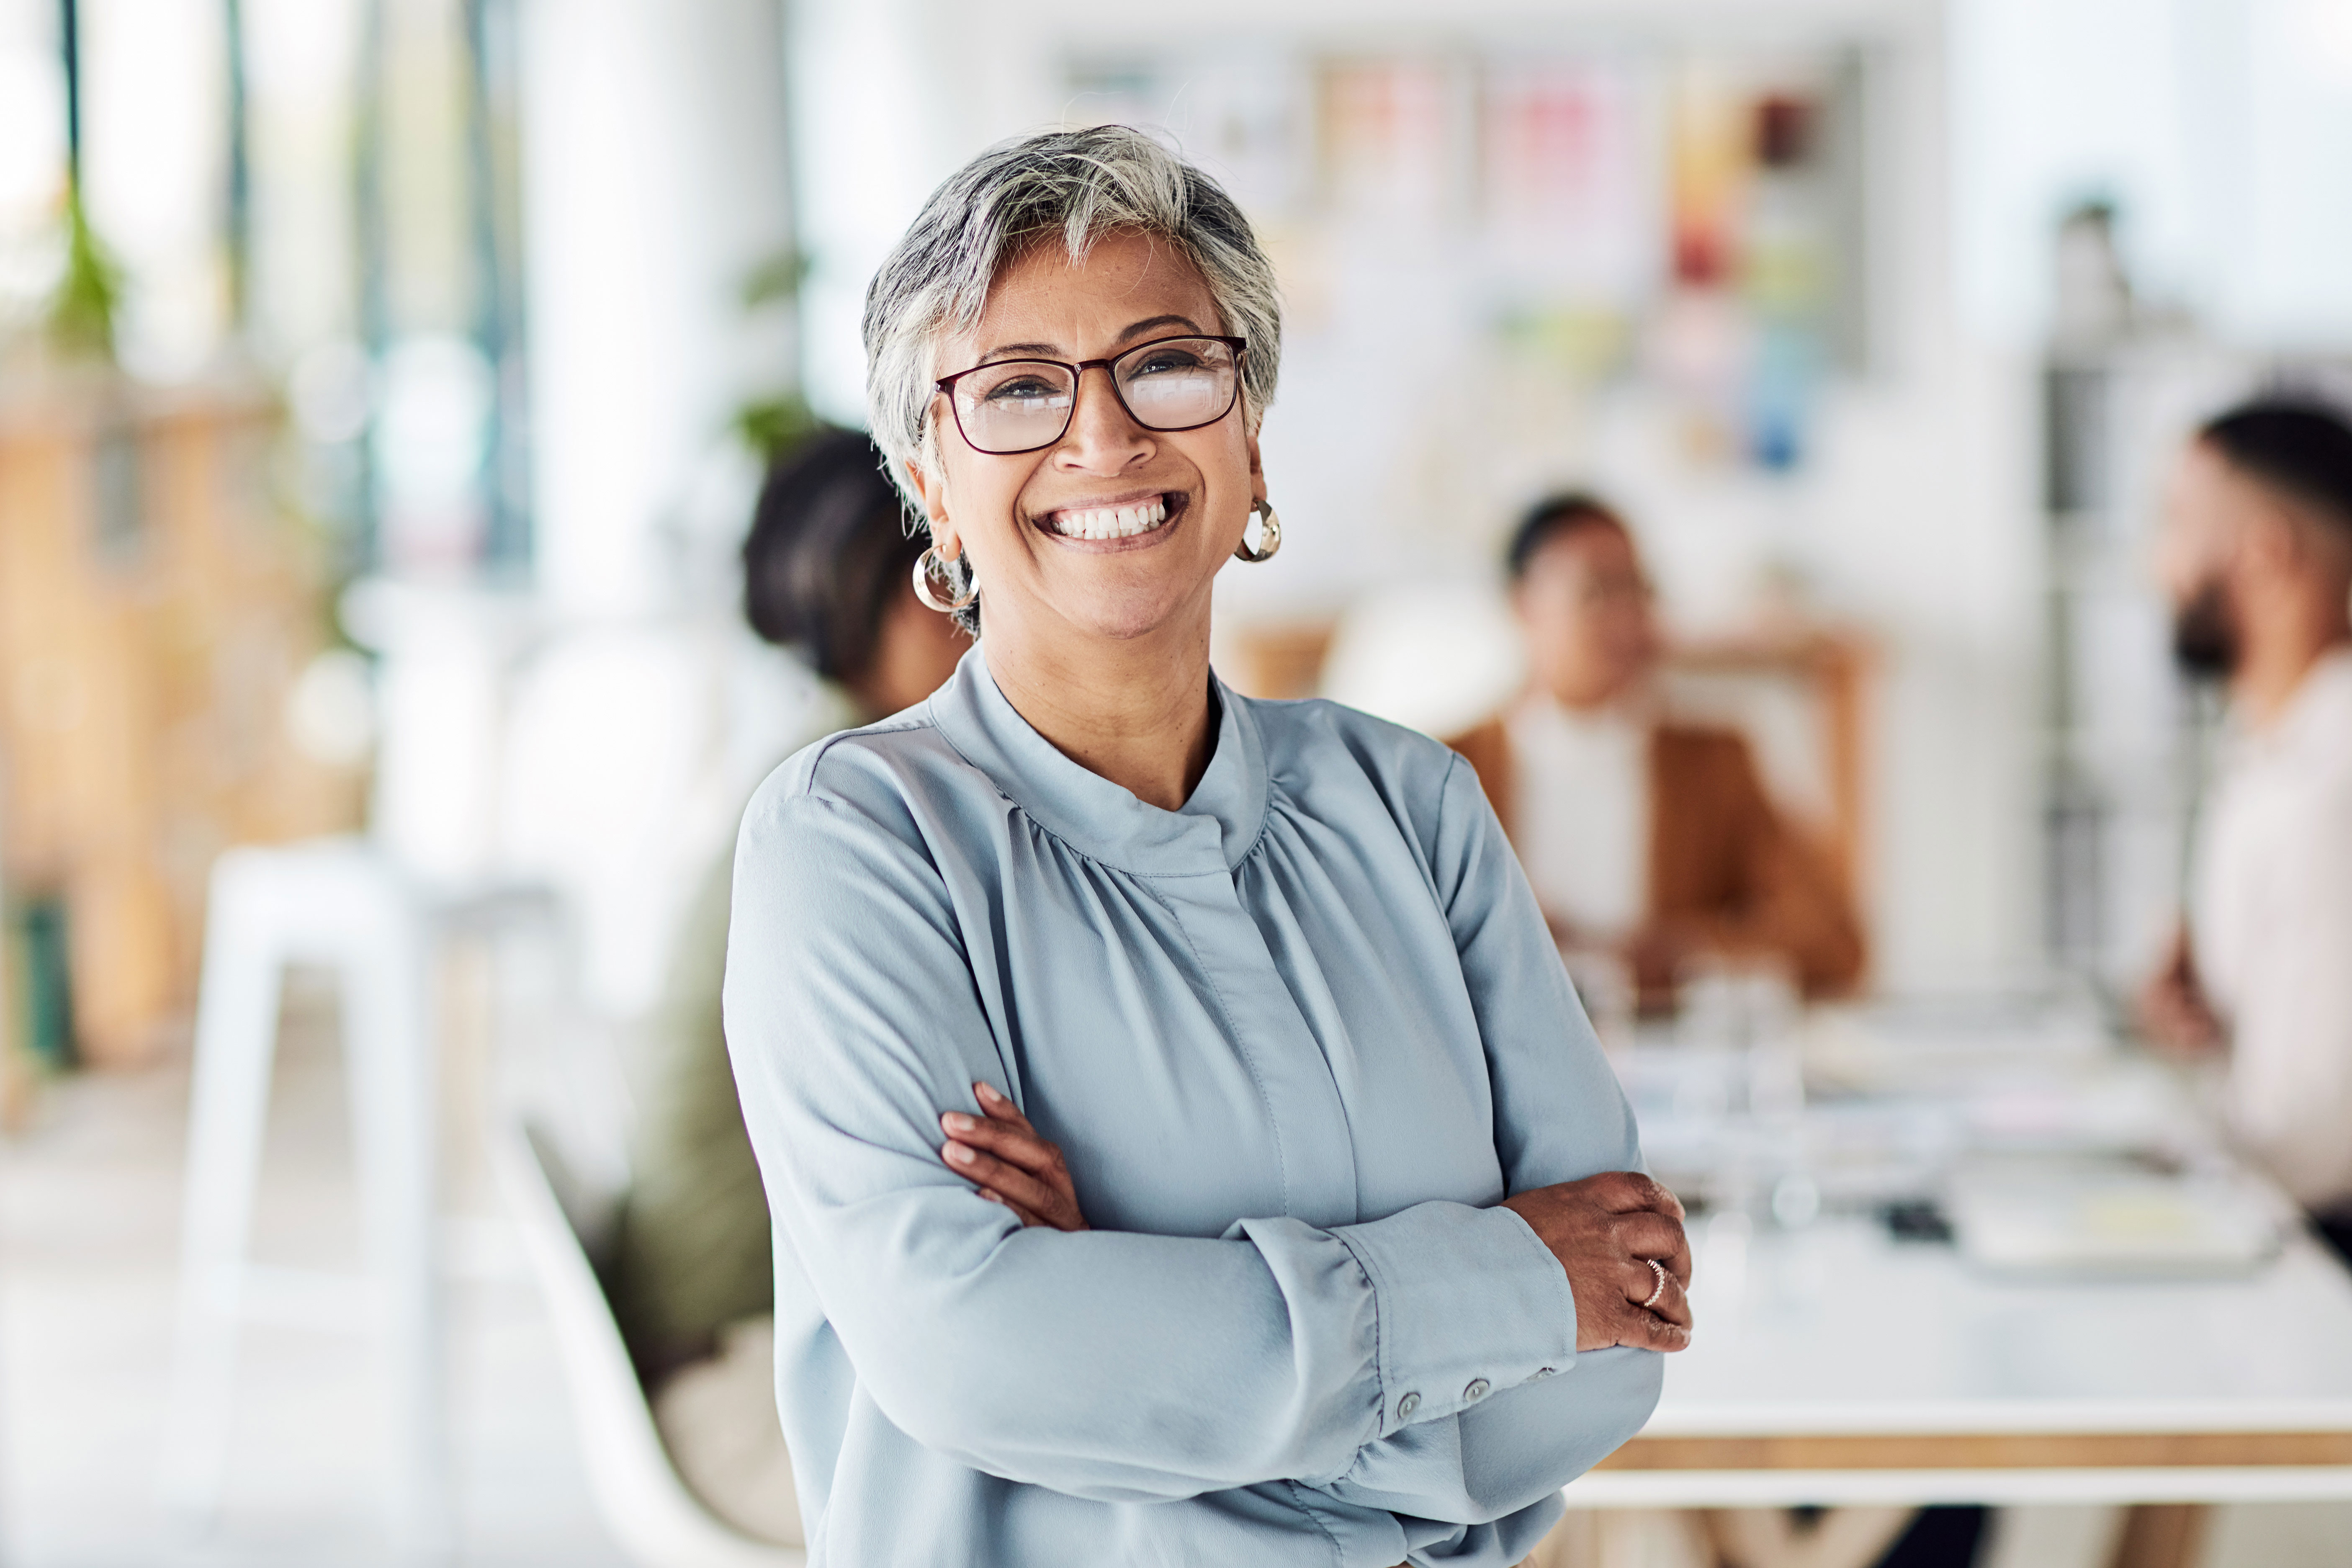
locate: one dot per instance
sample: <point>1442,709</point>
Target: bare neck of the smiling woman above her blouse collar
<point>1135,711</point>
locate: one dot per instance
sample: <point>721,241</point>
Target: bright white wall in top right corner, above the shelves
<point>2221,128</point>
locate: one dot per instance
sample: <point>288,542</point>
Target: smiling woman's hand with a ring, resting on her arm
<point>1605,1231</point>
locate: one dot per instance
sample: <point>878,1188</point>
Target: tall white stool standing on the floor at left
<point>338,904</point>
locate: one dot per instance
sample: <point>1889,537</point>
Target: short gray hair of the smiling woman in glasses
<point>1083,187</point>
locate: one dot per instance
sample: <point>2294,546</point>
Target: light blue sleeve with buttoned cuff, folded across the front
<point>1102,1365</point>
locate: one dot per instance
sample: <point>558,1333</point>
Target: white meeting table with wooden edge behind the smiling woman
<point>1836,1365</point>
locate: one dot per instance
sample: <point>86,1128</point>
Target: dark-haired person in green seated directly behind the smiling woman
<point>827,572</point>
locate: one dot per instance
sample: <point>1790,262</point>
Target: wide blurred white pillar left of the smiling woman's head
<point>653,185</point>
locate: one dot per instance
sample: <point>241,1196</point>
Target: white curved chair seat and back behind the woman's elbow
<point>566,1233</point>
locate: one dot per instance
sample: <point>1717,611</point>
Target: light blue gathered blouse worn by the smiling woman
<point>1297,1040</point>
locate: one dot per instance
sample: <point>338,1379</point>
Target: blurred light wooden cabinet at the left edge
<point>159,603</point>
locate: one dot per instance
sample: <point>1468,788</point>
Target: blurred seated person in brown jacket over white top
<point>1641,836</point>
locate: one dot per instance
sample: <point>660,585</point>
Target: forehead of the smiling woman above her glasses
<point>1045,297</point>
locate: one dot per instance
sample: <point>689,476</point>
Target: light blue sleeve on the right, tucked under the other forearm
<point>1558,1118</point>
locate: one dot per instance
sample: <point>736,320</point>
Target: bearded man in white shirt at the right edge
<point>2257,558</point>
